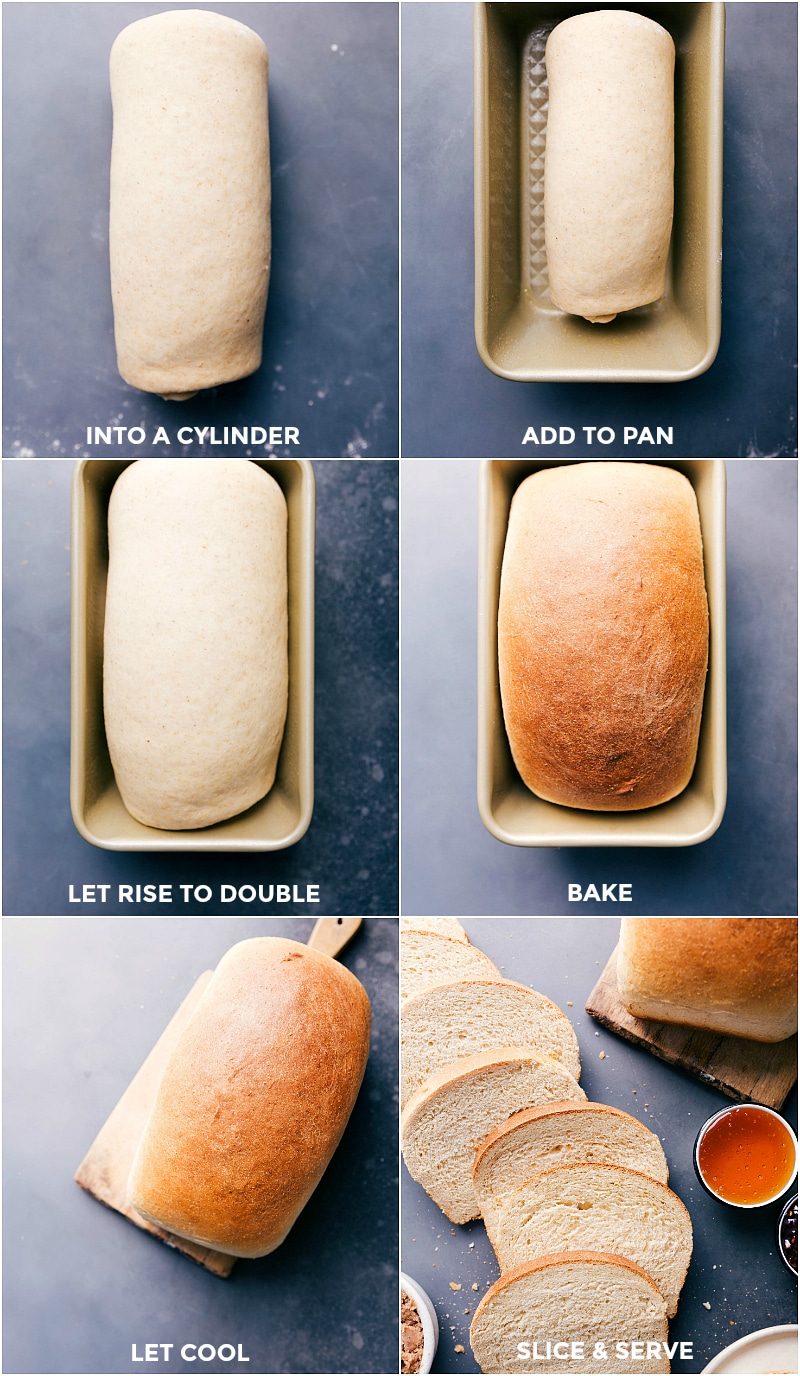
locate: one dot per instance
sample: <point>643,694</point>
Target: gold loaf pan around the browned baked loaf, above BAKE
<point>509,810</point>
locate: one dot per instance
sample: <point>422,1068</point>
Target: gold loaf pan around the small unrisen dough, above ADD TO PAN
<point>520,332</point>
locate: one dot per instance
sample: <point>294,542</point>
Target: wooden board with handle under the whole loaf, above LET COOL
<point>107,1166</point>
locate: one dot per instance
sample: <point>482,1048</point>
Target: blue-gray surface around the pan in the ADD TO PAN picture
<point>744,405</point>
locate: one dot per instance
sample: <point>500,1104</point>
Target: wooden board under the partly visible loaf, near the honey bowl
<point>759,1071</point>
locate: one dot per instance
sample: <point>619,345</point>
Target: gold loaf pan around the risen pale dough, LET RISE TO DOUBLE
<point>283,817</point>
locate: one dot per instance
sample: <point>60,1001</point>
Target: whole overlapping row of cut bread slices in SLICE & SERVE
<point>593,1246</point>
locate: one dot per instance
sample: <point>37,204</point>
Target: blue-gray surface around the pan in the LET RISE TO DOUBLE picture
<point>352,846</point>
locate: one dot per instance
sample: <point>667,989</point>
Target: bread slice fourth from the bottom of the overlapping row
<point>458,1108</point>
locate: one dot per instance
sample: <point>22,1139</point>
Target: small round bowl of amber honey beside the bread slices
<point>746,1157</point>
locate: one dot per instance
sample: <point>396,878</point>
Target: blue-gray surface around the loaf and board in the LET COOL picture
<point>85,1004</point>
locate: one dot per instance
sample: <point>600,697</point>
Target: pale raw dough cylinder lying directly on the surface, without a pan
<point>189,228</point>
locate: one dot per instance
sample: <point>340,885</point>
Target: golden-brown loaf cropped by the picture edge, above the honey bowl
<point>728,975</point>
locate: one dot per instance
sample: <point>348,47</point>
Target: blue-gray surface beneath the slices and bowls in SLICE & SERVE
<point>736,1268</point>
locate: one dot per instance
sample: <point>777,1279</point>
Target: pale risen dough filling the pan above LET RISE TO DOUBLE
<point>196,639</point>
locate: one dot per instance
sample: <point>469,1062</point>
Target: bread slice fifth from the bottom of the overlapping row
<point>448,1023</point>
